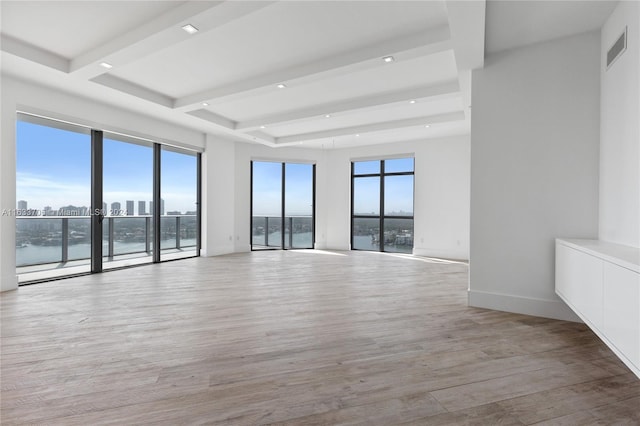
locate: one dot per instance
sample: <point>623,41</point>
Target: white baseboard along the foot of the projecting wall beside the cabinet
<point>555,309</point>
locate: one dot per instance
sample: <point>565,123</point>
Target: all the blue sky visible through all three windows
<point>54,169</point>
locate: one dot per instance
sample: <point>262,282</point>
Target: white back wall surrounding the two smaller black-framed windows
<point>441,198</point>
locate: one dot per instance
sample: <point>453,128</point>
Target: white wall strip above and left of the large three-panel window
<point>30,97</point>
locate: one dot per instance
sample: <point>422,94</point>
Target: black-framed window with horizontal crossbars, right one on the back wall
<point>382,205</point>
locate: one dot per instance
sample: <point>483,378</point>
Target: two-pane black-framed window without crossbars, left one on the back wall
<point>282,205</point>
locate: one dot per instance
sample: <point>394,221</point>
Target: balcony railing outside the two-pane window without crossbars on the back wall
<point>267,231</point>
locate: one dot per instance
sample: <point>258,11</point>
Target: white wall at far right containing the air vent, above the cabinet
<point>620,130</point>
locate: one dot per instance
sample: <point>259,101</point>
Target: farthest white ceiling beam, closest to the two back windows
<point>375,127</point>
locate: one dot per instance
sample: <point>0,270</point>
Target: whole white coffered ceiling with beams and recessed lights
<point>328,54</point>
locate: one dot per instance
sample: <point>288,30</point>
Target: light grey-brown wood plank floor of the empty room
<point>299,338</point>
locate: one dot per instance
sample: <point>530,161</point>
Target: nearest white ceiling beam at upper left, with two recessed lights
<point>160,33</point>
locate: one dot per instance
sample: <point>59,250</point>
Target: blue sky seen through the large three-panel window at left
<point>54,169</point>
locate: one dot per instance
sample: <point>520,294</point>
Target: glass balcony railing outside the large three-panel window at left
<point>61,239</point>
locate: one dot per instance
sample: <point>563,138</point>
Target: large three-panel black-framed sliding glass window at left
<point>85,200</point>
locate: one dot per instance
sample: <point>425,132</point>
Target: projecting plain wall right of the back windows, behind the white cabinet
<point>534,170</point>
